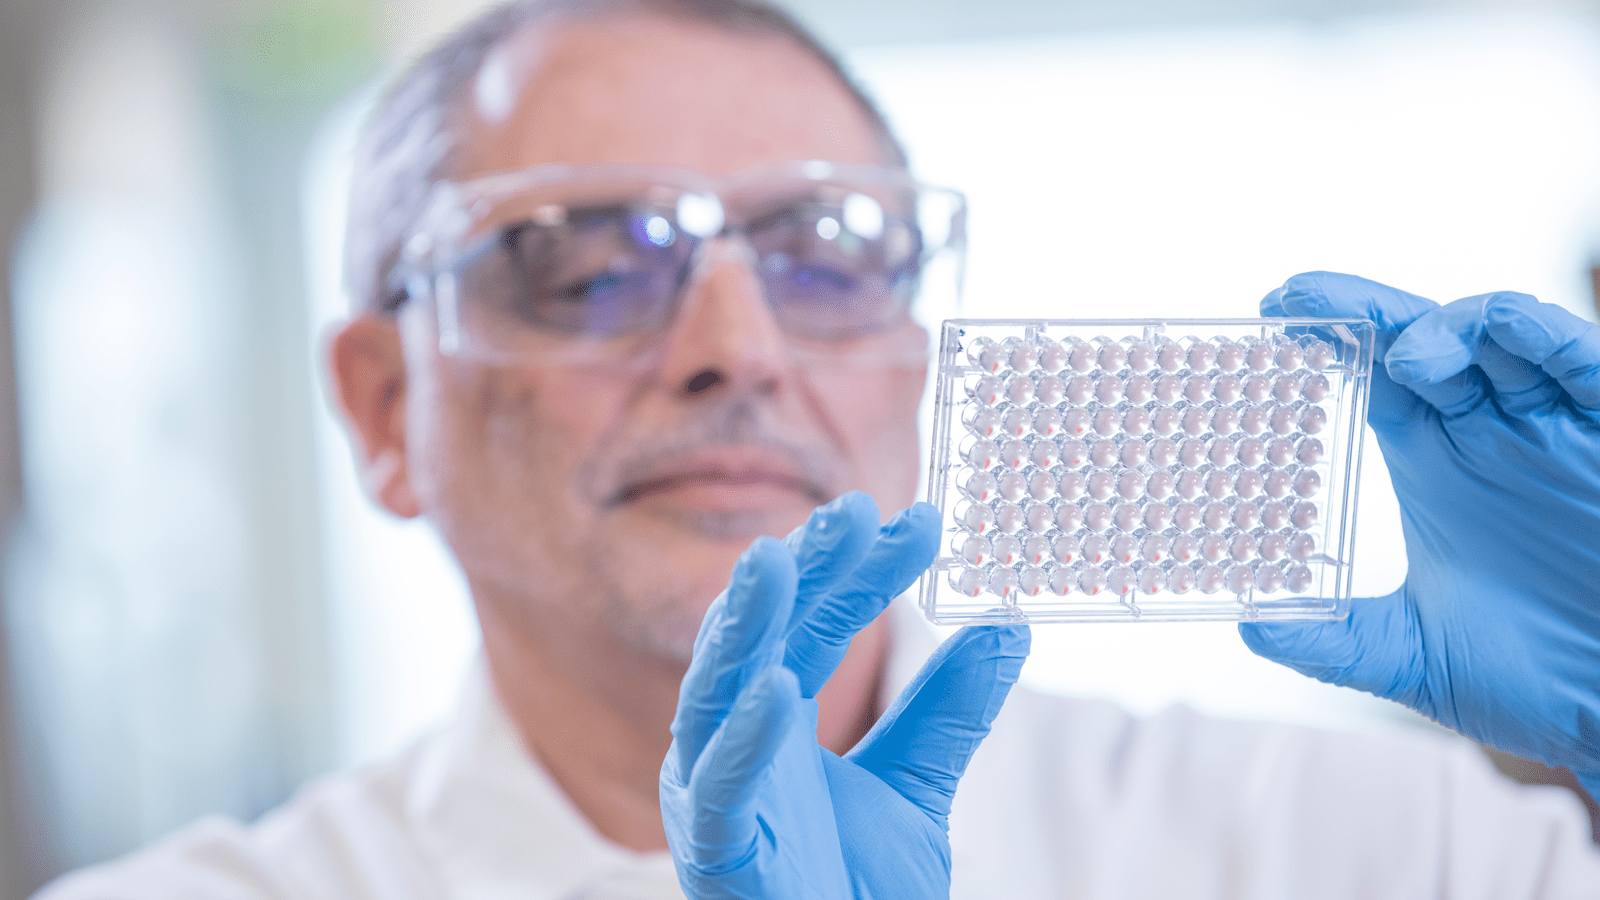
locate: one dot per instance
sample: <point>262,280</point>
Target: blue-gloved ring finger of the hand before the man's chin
<point>743,633</point>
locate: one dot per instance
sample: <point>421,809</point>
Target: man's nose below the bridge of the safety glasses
<point>726,339</point>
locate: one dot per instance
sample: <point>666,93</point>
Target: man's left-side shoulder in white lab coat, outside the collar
<point>342,837</point>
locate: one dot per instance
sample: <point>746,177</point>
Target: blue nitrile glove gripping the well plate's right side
<point>1489,417</point>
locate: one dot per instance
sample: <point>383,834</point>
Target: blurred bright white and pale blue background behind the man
<point>202,613</point>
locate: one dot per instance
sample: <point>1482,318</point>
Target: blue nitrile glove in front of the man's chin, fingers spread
<point>754,808</point>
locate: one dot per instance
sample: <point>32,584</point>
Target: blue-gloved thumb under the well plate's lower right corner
<point>1377,649</point>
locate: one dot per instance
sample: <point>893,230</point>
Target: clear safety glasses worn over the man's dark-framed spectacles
<point>594,263</point>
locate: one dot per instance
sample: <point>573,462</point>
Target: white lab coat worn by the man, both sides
<point>1066,800</point>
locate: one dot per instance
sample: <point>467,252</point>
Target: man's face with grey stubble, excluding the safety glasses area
<point>617,502</point>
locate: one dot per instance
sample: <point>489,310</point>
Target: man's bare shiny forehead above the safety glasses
<point>657,92</point>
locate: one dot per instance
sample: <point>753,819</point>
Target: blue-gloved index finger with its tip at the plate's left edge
<point>905,548</point>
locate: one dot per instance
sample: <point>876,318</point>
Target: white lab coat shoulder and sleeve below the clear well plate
<point>1178,800</point>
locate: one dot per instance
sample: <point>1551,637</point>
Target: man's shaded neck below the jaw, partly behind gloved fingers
<point>598,713</point>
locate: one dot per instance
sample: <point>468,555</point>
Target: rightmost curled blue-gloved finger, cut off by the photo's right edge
<point>1562,345</point>
